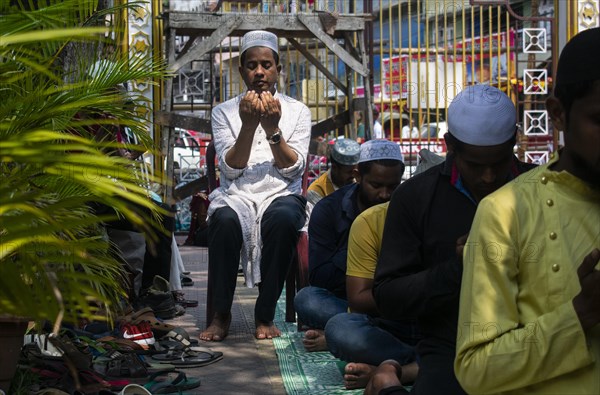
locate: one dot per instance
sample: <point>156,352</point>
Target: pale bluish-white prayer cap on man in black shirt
<point>482,115</point>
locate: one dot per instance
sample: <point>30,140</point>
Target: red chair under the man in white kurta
<point>297,277</point>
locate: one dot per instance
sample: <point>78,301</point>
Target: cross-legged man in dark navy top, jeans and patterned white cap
<point>379,172</point>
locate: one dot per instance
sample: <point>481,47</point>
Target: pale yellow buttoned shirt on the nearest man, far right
<point>518,332</point>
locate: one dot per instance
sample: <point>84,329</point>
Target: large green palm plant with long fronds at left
<point>55,264</point>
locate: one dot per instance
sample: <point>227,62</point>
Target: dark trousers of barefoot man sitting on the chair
<point>279,232</point>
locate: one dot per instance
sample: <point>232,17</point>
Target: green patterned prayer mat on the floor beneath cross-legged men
<point>306,373</point>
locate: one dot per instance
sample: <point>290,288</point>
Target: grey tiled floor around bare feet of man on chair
<point>248,366</point>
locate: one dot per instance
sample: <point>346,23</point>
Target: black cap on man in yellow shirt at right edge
<point>580,59</point>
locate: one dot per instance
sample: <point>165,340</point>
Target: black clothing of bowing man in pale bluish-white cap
<point>418,273</point>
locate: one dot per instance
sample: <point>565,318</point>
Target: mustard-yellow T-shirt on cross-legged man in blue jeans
<point>364,242</point>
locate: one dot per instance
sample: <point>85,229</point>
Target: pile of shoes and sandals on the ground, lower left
<point>143,354</point>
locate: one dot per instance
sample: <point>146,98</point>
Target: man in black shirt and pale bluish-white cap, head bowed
<point>418,273</point>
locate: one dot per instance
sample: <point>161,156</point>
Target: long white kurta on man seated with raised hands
<point>249,191</point>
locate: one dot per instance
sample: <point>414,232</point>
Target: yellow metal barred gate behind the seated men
<point>419,55</point>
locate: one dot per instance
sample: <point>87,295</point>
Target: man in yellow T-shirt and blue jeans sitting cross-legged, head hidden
<point>361,336</point>
